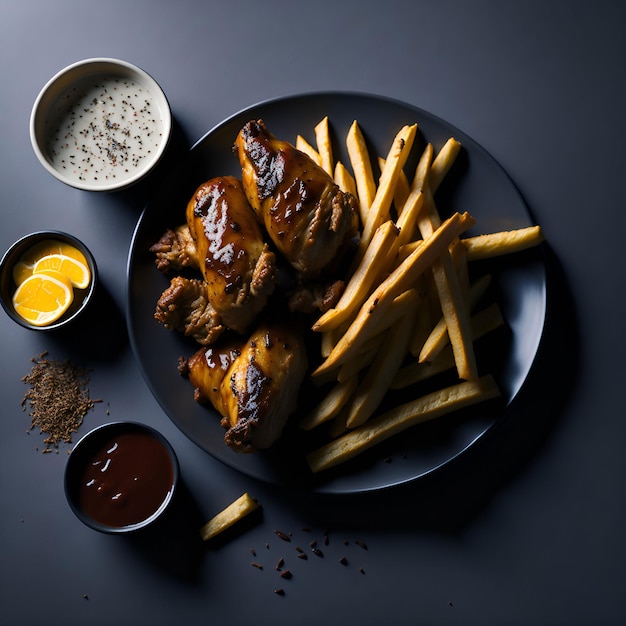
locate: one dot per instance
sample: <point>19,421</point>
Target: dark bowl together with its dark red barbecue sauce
<point>121,477</point>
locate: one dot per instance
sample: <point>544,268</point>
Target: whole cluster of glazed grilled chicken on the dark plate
<point>285,206</point>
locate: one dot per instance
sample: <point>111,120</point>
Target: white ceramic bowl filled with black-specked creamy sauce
<point>100,124</point>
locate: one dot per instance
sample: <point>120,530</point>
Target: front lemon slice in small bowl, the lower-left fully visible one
<point>42,298</point>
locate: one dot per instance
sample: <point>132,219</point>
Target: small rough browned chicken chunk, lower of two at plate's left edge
<point>184,307</point>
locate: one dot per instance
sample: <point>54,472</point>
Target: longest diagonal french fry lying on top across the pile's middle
<point>373,311</point>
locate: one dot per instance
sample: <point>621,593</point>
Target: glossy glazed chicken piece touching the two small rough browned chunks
<point>236,263</point>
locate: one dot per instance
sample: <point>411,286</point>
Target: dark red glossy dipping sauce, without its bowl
<point>125,480</point>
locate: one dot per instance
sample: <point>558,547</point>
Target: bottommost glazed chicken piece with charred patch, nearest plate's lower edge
<point>253,385</point>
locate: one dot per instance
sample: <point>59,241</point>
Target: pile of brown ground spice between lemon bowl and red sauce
<point>58,399</point>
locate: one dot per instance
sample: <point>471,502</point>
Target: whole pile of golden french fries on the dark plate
<point>408,310</point>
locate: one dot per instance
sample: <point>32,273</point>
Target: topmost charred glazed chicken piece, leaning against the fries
<point>309,219</point>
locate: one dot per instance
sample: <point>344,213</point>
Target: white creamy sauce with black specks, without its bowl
<point>104,132</point>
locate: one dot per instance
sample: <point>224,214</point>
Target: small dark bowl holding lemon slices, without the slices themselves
<point>82,297</point>
